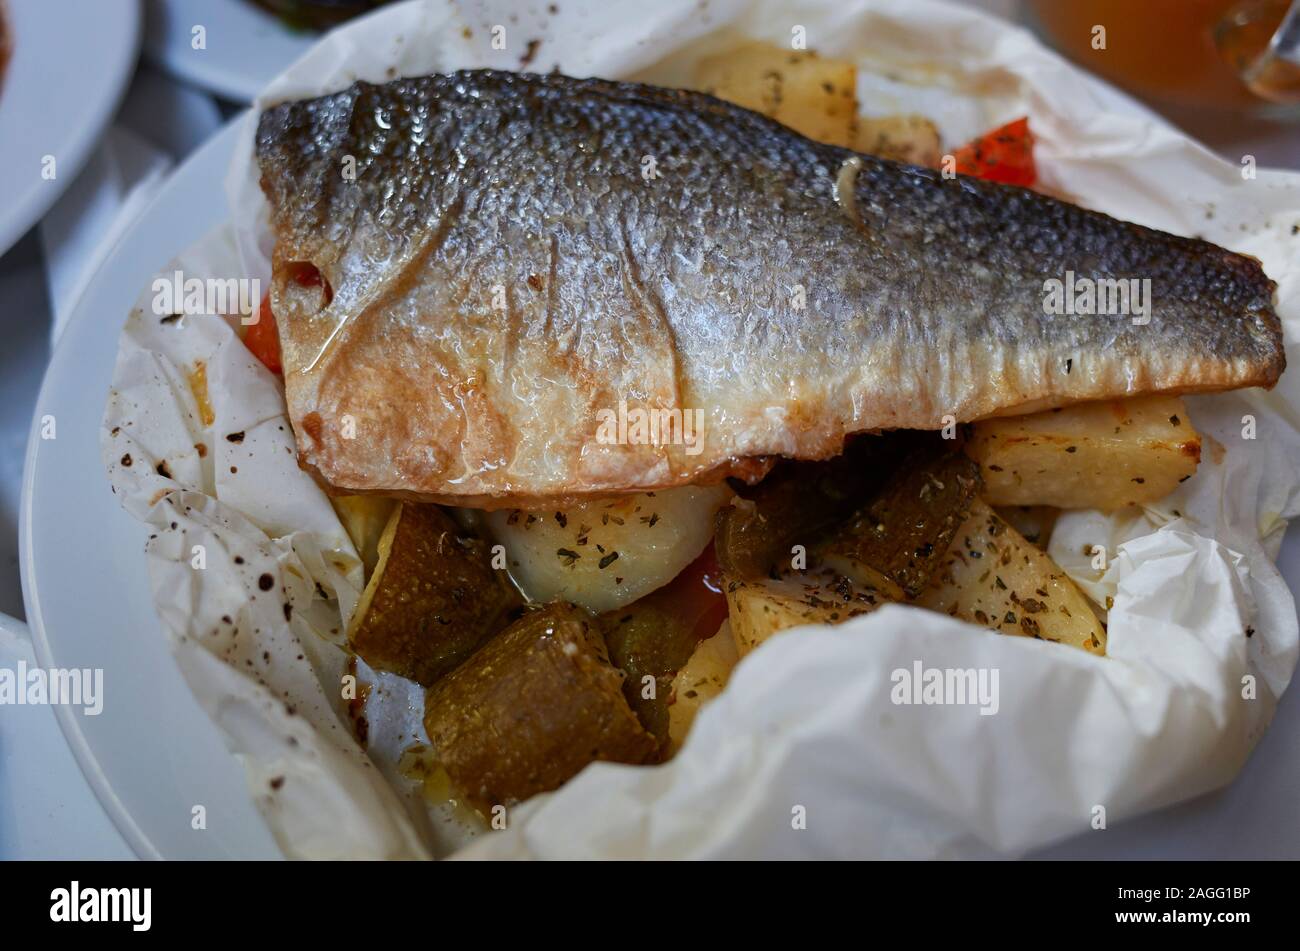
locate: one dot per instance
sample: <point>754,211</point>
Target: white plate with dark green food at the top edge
<point>245,46</point>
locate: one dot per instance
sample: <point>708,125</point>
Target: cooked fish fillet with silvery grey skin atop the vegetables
<point>505,268</point>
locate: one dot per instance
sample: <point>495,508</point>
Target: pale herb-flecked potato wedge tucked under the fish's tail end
<point>1093,455</point>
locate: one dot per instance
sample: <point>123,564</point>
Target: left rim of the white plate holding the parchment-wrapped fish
<point>153,754</point>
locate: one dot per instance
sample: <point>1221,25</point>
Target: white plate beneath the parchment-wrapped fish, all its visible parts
<point>153,754</point>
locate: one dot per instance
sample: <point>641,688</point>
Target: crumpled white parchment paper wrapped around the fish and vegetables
<point>805,754</point>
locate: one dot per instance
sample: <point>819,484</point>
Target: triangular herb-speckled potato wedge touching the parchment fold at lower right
<point>993,577</point>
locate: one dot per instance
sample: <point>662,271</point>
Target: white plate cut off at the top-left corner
<point>68,73</point>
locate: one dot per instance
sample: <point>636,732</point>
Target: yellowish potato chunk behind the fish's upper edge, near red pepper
<point>812,95</point>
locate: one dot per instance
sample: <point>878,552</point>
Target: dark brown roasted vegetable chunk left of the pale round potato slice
<point>434,598</point>
